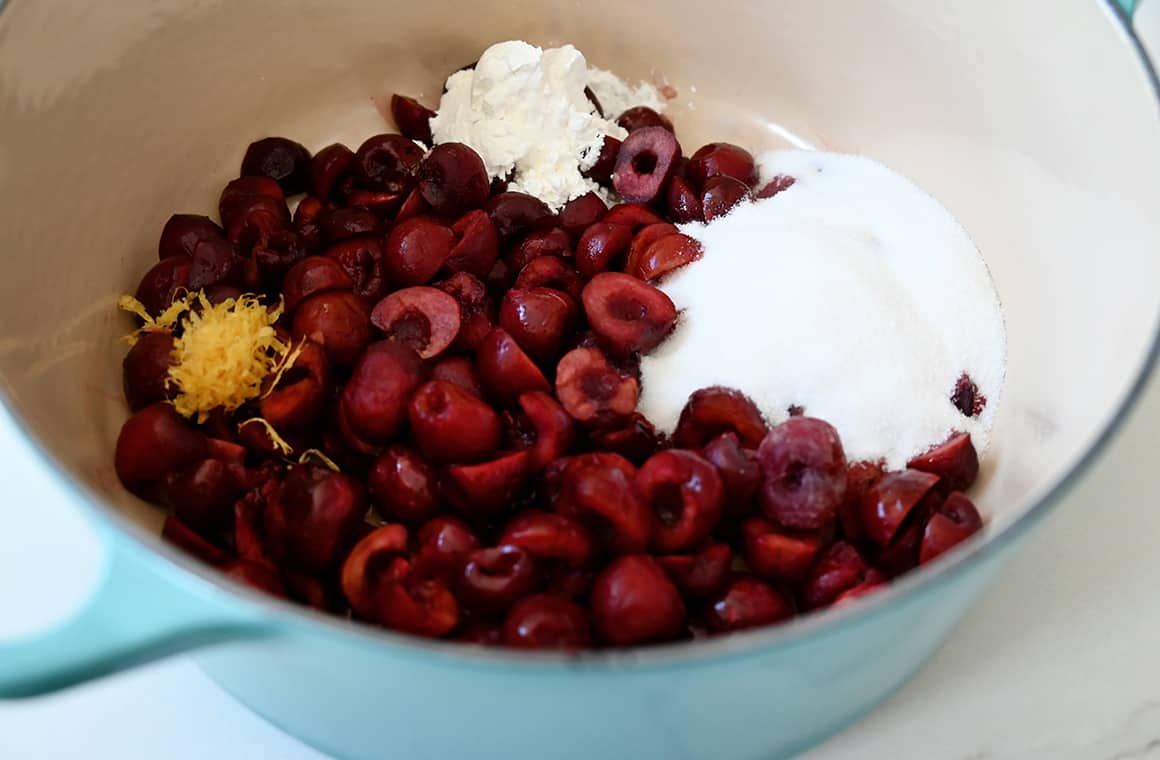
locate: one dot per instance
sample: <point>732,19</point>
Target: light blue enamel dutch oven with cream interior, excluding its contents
<point>1036,124</point>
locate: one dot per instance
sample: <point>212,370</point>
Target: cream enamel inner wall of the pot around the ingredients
<point>1040,134</point>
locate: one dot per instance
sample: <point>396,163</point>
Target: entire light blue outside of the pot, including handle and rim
<point>344,689</point>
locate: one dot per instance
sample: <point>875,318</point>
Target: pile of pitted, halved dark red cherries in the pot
<point>470,365</point>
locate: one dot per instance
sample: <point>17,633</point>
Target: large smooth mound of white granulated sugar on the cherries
<point>853,294</point>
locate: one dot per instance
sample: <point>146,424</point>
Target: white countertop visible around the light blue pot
<point>1060,662</point>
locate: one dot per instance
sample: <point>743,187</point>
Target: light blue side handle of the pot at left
<point>143,611</point>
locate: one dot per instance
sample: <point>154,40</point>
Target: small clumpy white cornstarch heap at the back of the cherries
<point>524,110</point>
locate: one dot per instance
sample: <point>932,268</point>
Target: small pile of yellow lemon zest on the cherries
<point>223,354</point>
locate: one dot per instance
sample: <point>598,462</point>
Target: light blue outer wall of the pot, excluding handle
<point>760,705</point>
